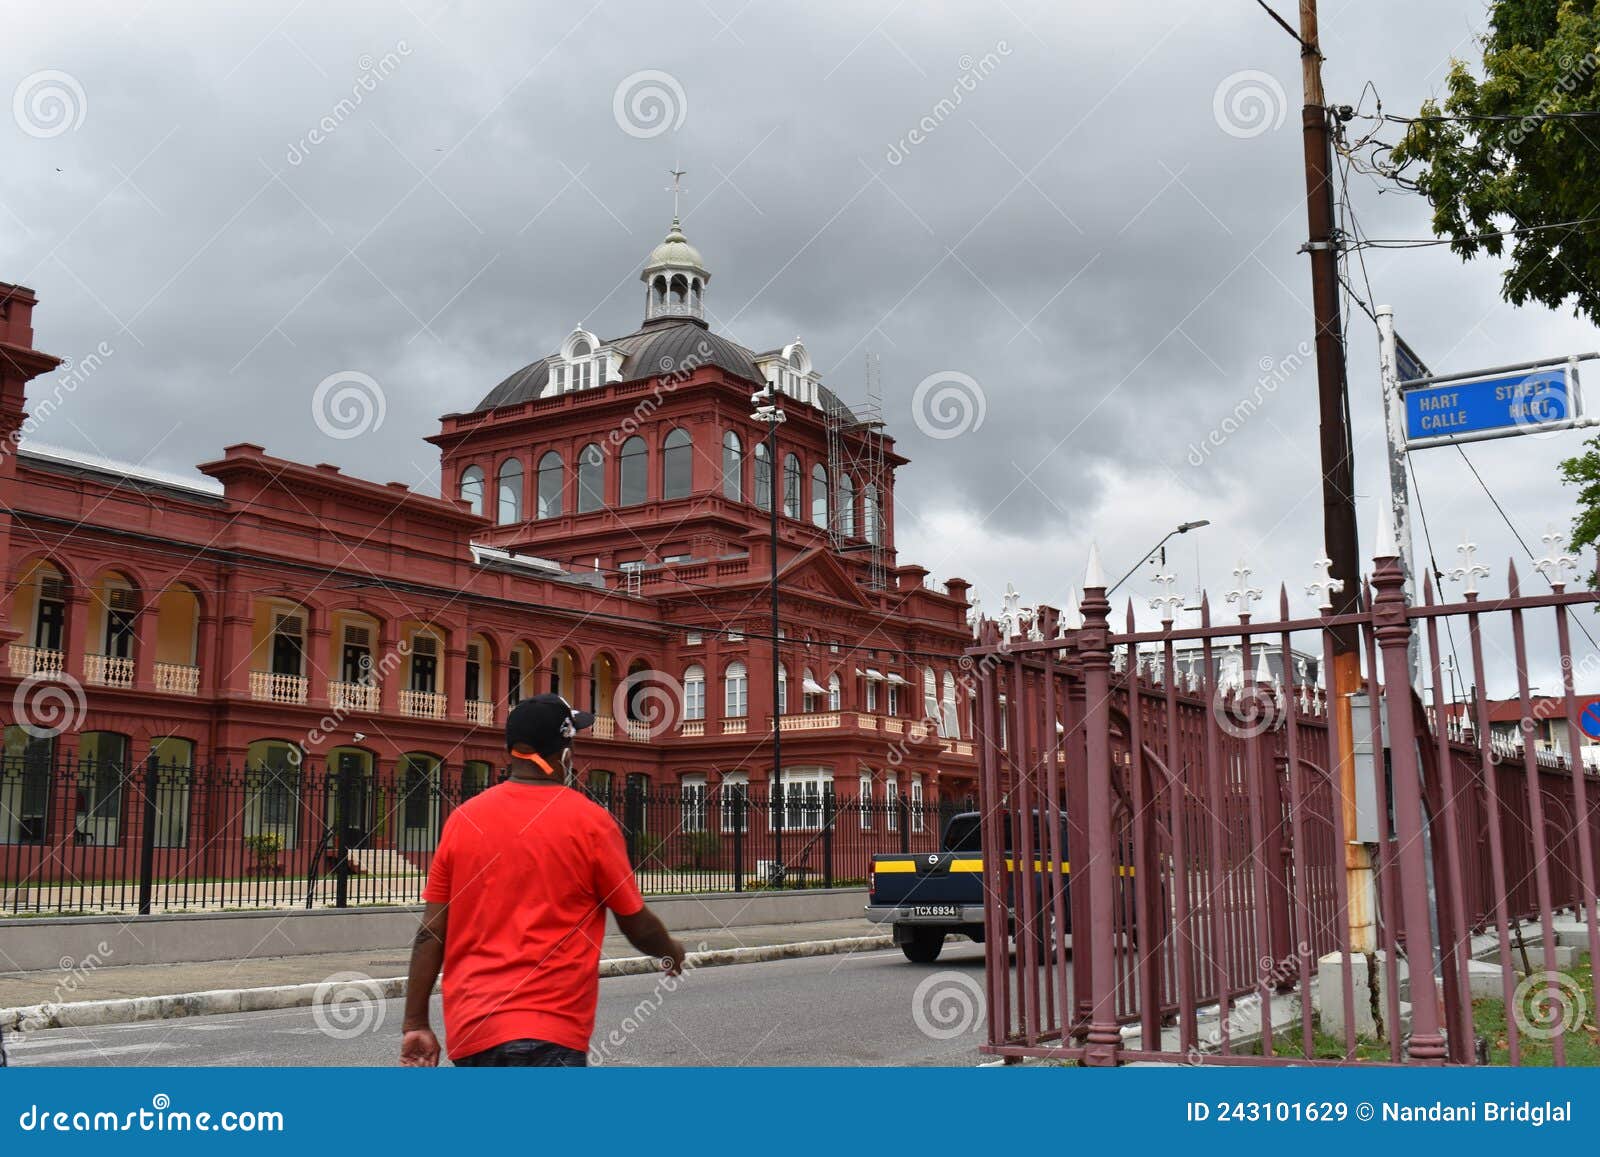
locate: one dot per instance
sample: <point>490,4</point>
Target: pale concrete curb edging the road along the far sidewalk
<point>130,1011</point>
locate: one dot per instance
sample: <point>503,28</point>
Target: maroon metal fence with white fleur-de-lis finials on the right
<point>1186,785</point>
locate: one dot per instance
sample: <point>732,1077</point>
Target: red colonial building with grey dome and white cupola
<point>604,534</point>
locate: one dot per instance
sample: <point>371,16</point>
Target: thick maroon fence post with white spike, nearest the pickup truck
<point>1103,1041</point>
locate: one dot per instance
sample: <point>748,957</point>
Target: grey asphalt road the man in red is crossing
<point>823,1011</point>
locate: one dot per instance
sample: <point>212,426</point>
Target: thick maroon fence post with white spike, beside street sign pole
<point>1393,633</point>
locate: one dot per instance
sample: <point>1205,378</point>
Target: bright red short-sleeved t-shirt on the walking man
<point>529,873</point>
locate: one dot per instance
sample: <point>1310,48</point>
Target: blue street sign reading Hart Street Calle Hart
<point>1506,404</point>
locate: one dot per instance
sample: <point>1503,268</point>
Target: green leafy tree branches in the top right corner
<point>1497,153</point>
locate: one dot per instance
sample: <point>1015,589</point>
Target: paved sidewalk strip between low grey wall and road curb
<point>121,983</point>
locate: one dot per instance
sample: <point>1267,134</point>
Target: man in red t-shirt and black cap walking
<point>514,910</point>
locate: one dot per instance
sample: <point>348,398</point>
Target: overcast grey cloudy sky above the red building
<point>1098,228</point>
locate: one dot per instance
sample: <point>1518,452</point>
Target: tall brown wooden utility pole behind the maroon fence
<point>1338,486</point>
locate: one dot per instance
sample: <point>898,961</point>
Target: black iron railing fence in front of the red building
<point>113,836</point>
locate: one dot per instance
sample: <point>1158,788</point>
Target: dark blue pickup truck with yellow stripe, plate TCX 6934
<point>930,895</point>
